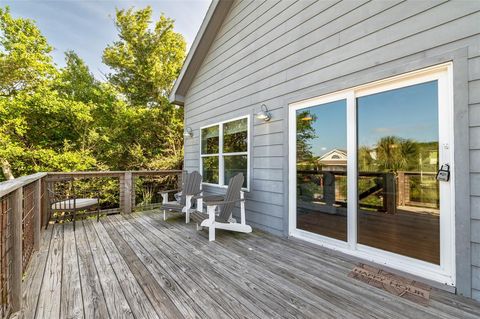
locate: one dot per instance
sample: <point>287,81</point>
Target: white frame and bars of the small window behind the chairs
<point>221,155</point>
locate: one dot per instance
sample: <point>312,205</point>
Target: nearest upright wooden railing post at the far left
<point>16,249</point>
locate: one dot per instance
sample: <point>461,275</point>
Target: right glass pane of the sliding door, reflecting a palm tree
<point>398,155</point>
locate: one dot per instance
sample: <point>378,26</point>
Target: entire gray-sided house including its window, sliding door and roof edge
<point>367,102</point>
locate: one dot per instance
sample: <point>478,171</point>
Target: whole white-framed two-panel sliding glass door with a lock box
<point>363,172</point>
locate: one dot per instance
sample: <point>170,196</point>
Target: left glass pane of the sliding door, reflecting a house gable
<point>321,141</point>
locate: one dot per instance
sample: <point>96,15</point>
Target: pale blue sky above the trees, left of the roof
<point>86,26</point>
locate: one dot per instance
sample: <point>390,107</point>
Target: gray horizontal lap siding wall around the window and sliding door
<point>279,52</point>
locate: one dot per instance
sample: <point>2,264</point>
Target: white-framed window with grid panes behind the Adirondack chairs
<point>224,151</point>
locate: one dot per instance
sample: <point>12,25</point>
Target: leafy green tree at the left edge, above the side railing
<point>37,123</point>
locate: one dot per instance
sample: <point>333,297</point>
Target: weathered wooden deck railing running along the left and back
<point>24,207</point>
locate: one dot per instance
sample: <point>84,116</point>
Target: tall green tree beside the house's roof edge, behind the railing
<point>146,61</point>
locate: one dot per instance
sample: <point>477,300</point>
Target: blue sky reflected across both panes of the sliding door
<point>410,112</point>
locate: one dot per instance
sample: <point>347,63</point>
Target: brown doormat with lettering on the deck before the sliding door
<point>394,284</point>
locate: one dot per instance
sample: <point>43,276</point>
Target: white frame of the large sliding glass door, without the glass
<point>444,273</point>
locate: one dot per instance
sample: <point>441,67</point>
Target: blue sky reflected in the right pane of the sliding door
<point>409,112</point>
